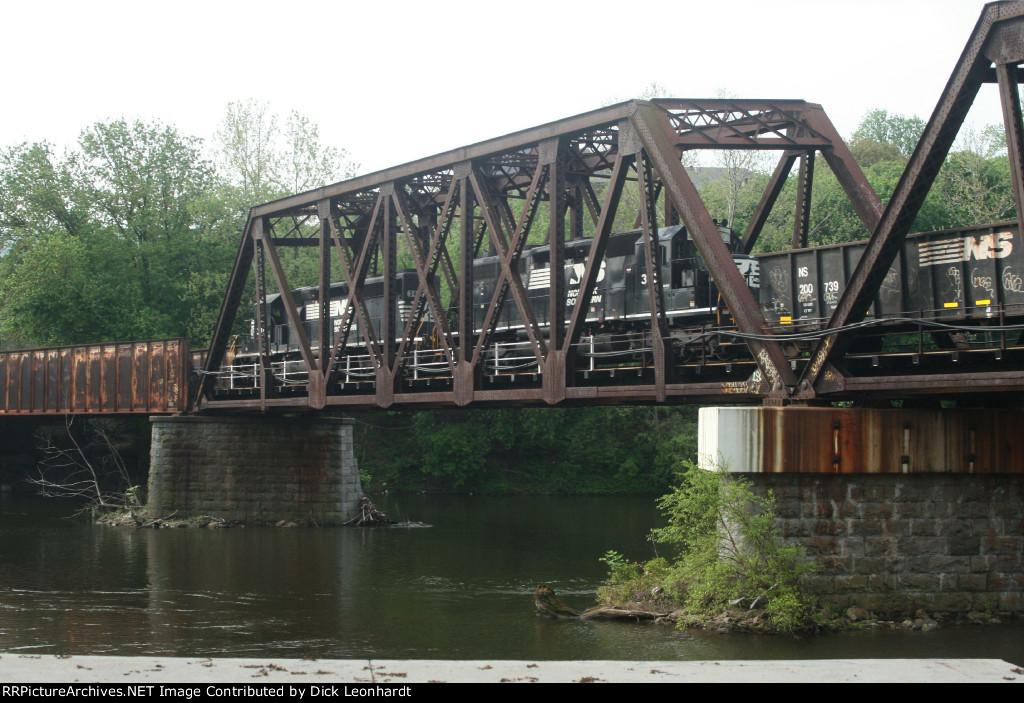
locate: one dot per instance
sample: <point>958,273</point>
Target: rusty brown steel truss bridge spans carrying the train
<point>397,318</point>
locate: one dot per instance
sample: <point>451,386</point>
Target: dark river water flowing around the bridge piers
<point>460,590</point>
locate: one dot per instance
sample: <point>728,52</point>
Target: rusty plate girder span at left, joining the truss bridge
<point>123,378</point>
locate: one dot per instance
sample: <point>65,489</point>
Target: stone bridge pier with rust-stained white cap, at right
<point>901,509</point>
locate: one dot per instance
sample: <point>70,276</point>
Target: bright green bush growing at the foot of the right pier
<point>730,556</point>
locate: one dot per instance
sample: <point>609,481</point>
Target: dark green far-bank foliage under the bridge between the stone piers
<point>574,451</point>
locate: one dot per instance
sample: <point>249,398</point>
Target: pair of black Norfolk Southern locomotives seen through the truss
<point>620,303</point>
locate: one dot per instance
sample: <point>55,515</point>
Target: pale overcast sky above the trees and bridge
<point>397,81</point>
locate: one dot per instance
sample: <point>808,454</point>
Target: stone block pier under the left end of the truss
<point>255,470</point>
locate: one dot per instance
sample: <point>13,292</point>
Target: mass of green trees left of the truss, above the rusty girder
<point>133,234</point>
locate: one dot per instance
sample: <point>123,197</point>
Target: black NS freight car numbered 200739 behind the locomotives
<point>959,275</point>
